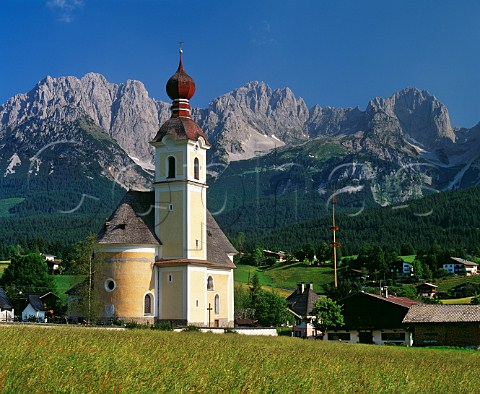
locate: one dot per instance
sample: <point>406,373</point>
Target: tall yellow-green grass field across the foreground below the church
<point>83,360</point>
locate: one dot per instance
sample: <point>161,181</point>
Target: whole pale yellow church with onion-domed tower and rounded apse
<point>161,256</point>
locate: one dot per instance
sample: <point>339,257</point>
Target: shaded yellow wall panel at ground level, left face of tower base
<point>172,283</point>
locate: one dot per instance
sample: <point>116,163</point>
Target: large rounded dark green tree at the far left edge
<point>27,274</point>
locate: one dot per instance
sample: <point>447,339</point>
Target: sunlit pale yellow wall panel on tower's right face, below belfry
<point>196,225</point>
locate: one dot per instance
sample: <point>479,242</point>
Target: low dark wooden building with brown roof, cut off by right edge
<point>444,325</point>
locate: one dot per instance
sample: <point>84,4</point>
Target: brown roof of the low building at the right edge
<point>437,313</point>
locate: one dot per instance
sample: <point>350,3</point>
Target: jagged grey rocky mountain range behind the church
<point>80,138</point>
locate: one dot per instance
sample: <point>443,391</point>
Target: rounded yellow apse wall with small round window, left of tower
<point>132,273</point>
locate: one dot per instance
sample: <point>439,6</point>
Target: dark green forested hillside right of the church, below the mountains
<point>451,219</point>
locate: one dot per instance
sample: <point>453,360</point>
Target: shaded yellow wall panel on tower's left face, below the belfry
<point>171,222</point>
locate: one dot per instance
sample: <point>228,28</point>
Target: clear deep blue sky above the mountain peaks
<point>329,52</point>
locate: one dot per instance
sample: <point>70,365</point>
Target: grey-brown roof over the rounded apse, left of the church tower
<point>132,222</point>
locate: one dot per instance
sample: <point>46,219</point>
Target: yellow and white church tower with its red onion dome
<point>180,176</point>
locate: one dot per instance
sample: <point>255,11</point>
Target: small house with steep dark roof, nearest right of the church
<point>300,303</point>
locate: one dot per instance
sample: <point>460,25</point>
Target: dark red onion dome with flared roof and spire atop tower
<point>180,88</point>
